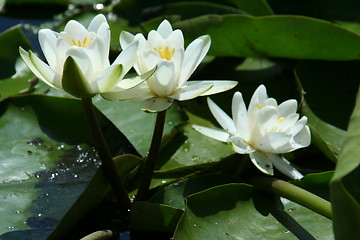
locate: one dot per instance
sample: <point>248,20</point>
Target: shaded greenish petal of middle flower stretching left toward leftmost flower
<point>139,93</point>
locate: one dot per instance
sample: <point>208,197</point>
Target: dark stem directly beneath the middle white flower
<point>151,160</point>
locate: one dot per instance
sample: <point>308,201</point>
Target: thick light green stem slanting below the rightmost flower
<point>294,193</point>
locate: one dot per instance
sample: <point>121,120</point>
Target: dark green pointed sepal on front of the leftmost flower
<point>73,80</point>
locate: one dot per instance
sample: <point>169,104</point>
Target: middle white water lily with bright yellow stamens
<point>164,49</point>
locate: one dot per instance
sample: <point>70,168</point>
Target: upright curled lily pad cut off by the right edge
<point>345,194</point>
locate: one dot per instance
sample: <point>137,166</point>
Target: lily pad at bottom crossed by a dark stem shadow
<point>237,211</point>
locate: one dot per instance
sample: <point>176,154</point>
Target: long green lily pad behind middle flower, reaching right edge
<point>274,36</point>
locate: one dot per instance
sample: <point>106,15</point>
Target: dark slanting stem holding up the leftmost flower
<point>105,156</point>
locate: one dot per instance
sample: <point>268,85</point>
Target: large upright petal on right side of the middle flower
<point>194,54</point>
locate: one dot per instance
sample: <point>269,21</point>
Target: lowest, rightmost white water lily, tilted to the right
<point>263,131</point>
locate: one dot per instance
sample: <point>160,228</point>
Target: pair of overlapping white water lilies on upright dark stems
<point>78,61</point>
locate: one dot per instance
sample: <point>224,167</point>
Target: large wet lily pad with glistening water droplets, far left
<point>46,163</point>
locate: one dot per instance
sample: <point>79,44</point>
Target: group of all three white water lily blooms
<point>78,63</point>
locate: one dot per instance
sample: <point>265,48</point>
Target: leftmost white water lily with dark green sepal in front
<point>78,59</point>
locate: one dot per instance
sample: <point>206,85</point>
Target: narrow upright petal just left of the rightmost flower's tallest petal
<point>240,116</point>
